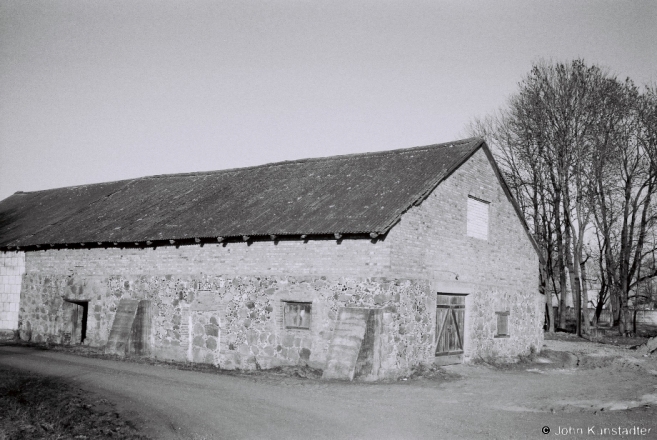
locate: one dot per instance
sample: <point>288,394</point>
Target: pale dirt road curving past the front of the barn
<point>484,403</point>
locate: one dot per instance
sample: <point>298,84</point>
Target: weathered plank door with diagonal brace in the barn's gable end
<point>450,316</point>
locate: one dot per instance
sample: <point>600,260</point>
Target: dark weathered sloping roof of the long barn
<point>359,193</point>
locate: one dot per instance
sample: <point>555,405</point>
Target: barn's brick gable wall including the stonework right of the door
<point>499,273</point>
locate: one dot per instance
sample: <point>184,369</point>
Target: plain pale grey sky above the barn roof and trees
<point>94,91</point>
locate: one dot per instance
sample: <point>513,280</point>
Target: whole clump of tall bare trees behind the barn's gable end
<point>577,148</point>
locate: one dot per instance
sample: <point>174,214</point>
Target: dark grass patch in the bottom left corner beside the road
<point>38,407</point>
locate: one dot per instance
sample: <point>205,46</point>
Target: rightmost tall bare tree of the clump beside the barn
<point>625,195</point>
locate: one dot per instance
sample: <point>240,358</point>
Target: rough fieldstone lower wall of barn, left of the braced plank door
<point>236,322</point>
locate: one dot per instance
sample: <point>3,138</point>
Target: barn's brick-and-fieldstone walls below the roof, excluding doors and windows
<point>223,303</point>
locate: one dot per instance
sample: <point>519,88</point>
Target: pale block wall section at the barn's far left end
<point>12,267</point>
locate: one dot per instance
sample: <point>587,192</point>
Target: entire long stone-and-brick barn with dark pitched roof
<point>362,265</point>
